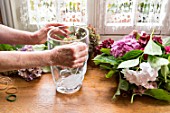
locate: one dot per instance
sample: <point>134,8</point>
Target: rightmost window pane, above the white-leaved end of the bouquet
<point>149,11</point>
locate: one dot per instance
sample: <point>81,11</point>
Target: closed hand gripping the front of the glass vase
<point>71,55</point>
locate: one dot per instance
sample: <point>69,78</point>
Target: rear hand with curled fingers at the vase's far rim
<point>40,36</point>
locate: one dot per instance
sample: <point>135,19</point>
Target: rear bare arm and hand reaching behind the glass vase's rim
<point>12,36</point>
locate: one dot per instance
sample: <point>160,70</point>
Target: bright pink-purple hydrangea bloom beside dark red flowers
<point>119,48</point>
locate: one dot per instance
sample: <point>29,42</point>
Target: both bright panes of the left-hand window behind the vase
<point>69,11</point>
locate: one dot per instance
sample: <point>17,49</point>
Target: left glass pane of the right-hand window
<point>119,12</point>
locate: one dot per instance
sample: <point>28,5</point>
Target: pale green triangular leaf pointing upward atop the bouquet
<point>152,48</point>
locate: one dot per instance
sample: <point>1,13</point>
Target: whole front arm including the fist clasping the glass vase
<point>71,55</point>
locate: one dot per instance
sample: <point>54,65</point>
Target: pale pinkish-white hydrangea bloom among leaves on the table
<point>142,77</point>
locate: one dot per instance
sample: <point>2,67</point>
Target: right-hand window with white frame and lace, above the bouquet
<point>122,16</point>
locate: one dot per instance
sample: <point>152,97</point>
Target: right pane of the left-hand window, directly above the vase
<point>73,11</point>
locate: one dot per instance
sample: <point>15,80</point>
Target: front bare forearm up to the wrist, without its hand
<point>15,60</point>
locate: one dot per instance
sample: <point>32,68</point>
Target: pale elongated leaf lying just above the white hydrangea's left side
<point>129,63</point>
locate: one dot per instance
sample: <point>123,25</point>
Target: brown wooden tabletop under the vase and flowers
<point>40,96</point>
